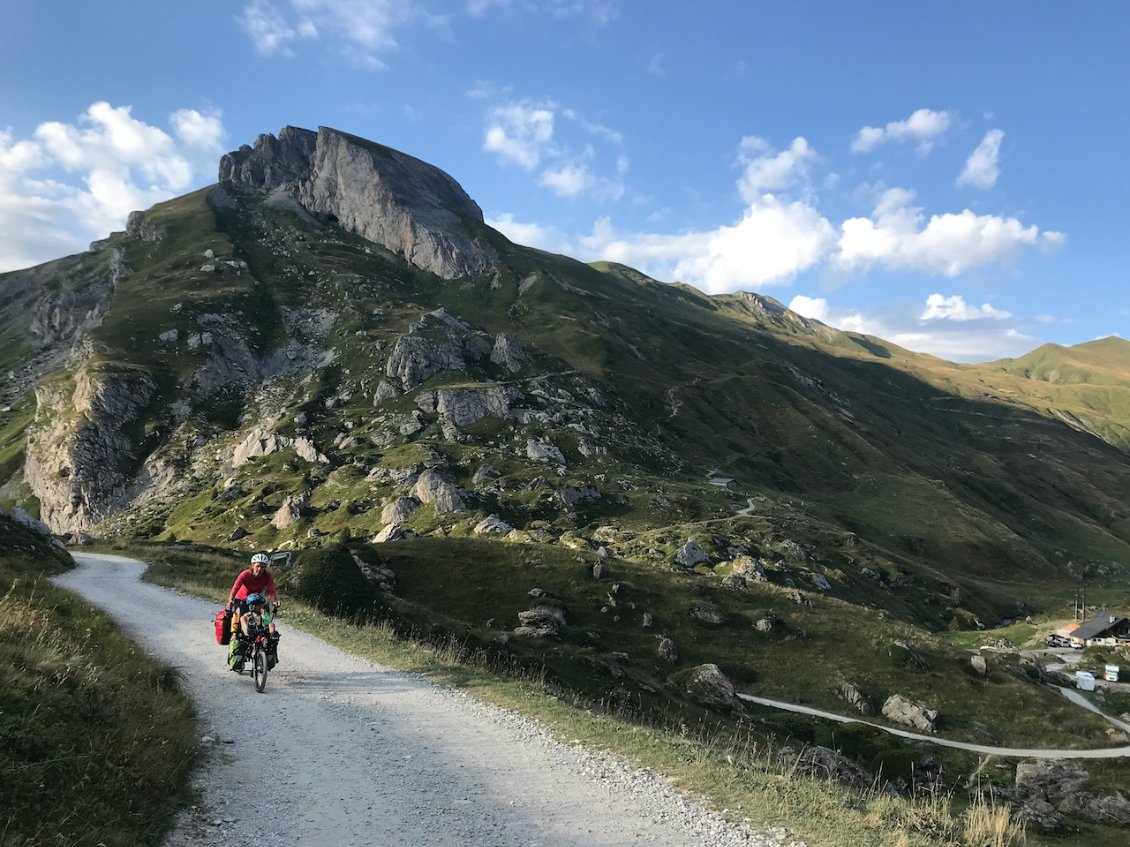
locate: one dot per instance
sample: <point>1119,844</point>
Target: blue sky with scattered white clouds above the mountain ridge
<point>951,177</point>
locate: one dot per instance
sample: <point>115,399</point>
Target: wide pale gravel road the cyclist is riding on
<point>341,752</point>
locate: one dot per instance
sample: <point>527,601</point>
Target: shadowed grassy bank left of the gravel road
<point>97,739</point>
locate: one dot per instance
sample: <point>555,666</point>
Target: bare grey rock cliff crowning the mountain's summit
<point>395,200</point>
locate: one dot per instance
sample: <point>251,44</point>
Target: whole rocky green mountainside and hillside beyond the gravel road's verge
<point>658,500</point>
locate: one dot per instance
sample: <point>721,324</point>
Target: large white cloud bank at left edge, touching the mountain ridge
<point>71,184</point>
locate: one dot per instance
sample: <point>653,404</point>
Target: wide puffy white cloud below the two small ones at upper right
<point>899,237</point>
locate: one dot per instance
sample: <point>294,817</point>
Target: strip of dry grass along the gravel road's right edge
<point>749,776</point>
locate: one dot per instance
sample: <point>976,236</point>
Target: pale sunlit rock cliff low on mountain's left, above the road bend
<point>77,460</point>
